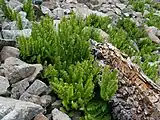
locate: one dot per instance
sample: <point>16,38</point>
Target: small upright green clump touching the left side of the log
<point>108,83</point>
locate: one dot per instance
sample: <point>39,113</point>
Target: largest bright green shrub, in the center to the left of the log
<point>71,71</point>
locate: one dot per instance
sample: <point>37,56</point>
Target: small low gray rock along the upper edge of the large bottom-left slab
<point>30,98</point>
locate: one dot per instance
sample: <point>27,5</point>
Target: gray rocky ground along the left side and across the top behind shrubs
<point>23,95</point>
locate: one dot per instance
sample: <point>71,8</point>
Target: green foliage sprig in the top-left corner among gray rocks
<point>8,12</point>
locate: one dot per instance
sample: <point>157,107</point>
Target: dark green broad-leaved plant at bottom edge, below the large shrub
<point>97,110</point>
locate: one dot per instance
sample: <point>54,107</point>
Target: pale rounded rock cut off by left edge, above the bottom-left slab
<point>4,84</point>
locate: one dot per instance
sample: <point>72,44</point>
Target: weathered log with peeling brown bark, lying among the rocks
<point>138,97</point>
